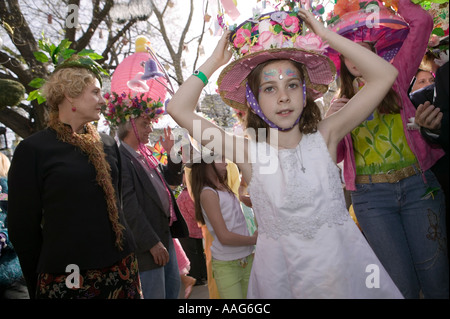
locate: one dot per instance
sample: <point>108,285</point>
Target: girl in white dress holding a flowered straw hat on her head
<point>307,246</point>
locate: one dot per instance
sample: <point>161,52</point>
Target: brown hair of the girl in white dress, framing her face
<point>311,115</point>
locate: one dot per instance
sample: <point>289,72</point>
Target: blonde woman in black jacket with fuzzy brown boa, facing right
<point>65,217</point>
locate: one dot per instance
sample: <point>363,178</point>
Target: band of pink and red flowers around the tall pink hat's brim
<point>122,107</point>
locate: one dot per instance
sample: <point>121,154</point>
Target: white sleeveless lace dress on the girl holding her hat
<point>308,246</point>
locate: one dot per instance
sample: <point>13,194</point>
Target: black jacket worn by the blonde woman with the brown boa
<point>57,212</point>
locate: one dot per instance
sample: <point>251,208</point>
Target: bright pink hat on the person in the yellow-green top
<point>369,21</point>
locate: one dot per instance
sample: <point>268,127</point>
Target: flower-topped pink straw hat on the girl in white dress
<point>274,36</point>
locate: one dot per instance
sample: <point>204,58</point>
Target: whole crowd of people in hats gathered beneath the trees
<point>105,208</point>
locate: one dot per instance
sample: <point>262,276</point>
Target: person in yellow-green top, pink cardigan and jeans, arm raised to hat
<point>387,158</point>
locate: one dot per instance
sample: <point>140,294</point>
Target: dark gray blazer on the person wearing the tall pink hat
<point>143,209</point>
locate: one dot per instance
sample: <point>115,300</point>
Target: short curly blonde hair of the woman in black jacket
<point>70,81</point>
